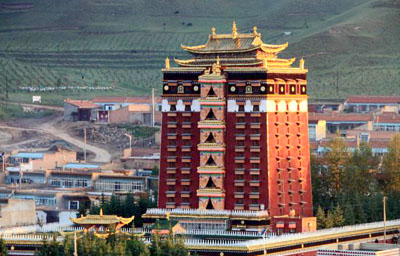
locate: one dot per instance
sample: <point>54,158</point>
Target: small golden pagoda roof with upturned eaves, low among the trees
<point>101,219</point>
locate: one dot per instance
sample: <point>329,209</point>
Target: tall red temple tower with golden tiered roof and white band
<point>235,128</point>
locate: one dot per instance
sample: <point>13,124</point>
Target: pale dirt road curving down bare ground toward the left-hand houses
<point>101,155</point>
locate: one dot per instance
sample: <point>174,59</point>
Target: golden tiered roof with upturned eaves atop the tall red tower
<point>236,50</point>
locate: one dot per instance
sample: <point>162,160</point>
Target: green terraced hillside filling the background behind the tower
<point>121,43</point>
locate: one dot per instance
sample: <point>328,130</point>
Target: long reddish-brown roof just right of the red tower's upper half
<point>340,117</point>
